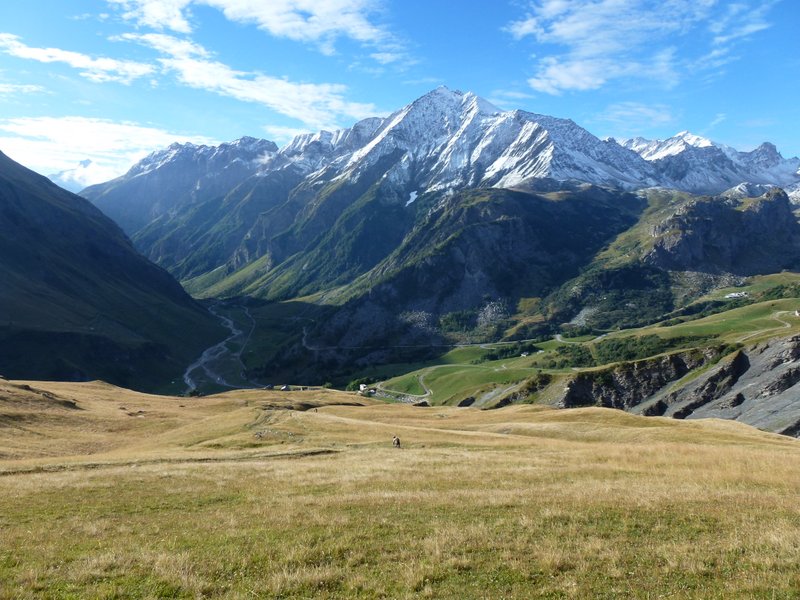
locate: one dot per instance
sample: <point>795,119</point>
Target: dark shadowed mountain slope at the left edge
<point>78,301</point>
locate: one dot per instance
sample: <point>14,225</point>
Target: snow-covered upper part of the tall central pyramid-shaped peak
<point>448,140</point>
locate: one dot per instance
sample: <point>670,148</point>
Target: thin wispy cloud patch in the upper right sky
<point>597,42</point>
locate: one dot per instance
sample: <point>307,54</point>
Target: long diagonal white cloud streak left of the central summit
<point>317,105</point>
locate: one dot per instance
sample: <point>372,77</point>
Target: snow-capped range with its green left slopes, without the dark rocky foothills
<point>206,212</point>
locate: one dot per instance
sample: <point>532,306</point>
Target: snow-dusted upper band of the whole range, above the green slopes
<point>446,140</point>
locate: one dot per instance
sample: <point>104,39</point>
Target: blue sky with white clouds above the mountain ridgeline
<point>112,80</point>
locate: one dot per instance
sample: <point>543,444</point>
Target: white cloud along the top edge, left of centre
<point>320,22</point>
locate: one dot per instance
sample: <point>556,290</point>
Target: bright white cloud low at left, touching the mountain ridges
<point>49,145</point>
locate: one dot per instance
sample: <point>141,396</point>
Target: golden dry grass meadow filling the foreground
<point>106,493</point>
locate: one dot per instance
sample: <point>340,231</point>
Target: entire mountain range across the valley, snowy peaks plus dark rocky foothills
<point>450,213</point>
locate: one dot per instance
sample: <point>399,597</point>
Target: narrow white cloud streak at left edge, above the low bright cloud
<point>95,69</point>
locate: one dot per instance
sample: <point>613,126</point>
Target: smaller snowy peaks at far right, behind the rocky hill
<point>696,164</point>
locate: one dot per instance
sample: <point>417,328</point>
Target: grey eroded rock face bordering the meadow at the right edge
<point>759,386</point>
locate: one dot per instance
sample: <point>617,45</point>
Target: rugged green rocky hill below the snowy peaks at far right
<point>681,247</point>
